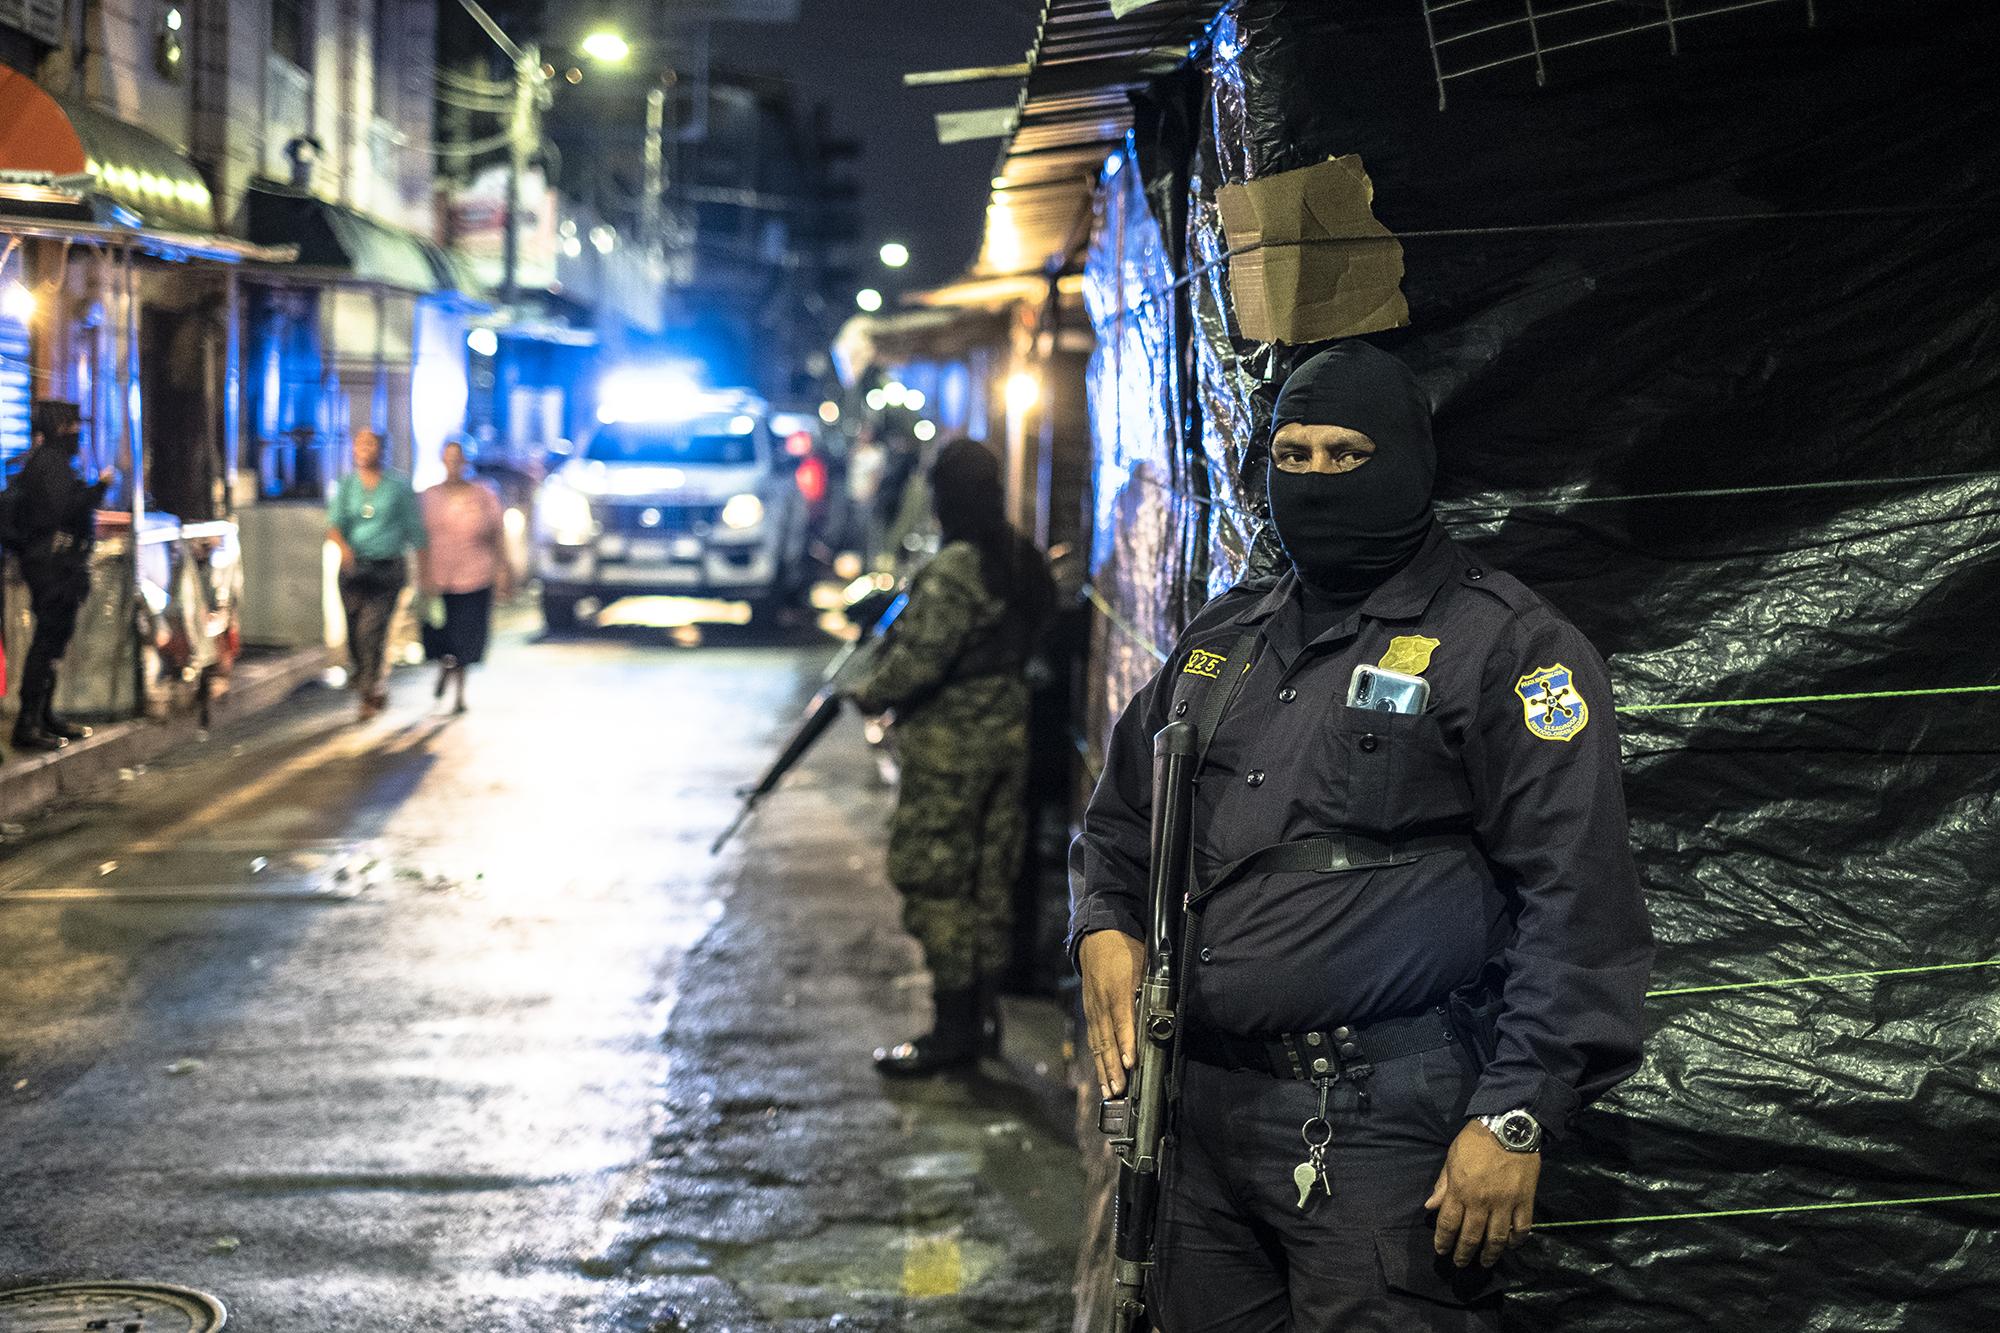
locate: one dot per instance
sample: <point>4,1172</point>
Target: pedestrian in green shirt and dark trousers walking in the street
<point>377,525</point>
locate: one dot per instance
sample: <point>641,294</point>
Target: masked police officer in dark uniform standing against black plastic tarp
<point>1421,946</point>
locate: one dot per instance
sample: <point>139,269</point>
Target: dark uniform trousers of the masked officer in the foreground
<point>1237,1254</point>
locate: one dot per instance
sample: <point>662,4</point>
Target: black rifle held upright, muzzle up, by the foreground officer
<point>1137,1120</point>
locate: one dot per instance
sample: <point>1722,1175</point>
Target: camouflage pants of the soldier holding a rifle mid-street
<point>953,854</point>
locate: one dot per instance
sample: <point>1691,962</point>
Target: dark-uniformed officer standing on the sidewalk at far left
<point>55,515</point>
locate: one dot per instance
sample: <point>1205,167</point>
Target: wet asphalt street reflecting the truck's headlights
<point>453,1024</point>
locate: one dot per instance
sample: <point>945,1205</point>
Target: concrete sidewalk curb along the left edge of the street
<point>31,784</point>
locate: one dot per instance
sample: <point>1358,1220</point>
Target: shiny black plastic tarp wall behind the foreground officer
<point>1717,367</point>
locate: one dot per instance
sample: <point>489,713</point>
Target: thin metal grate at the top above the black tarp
<point>1471,37</point>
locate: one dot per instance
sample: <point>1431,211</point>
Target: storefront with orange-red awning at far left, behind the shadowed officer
<point>117,295</point>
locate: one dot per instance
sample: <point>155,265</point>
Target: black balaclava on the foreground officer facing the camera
<point>1351,531</point>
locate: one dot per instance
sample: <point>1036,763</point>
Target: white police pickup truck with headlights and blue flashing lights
<point>675,493</point>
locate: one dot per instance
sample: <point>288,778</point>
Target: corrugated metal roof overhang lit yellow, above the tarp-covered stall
<point>1073,113</point>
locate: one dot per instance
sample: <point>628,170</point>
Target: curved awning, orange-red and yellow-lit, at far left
<point>57,151</point>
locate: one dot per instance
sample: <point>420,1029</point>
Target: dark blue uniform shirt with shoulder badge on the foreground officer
<point>1517,750</point>
